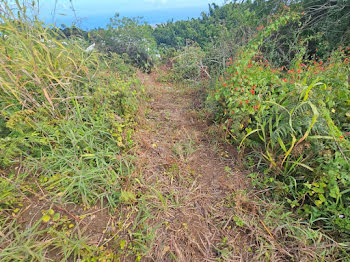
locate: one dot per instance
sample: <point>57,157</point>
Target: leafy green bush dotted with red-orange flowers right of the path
<point>296,120</point>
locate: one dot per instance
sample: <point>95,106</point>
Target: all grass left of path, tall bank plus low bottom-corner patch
<point>66,119</point>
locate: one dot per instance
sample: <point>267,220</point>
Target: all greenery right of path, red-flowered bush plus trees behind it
<point>281,93</point>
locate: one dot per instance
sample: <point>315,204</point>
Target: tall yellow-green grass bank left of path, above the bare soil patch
<point>66,114</point>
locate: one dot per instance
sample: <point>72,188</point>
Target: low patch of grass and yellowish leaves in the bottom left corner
<point>31,244</point>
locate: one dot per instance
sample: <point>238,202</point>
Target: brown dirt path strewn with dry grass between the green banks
<point>192,178</point>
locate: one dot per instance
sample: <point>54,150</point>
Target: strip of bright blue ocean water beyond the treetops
<point>151,17</point>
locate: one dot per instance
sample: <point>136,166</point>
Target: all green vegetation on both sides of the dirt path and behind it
<point>274,77</point>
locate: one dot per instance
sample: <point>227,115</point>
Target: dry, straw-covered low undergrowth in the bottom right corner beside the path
<point>271,233</point>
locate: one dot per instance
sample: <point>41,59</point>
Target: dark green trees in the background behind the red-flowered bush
<point>220,32</point>
